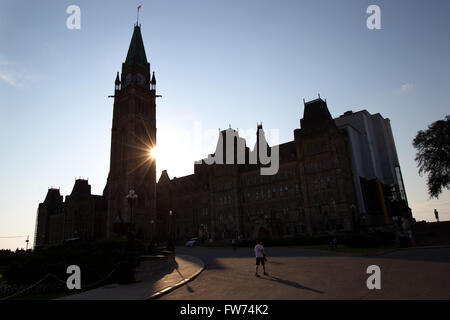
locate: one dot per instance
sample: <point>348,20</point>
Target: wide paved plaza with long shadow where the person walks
<point>303,274</point>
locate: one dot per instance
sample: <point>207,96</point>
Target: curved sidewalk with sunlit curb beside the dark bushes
<point>185,269</point>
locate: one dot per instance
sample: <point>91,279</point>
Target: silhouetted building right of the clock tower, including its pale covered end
<point>325,184</point>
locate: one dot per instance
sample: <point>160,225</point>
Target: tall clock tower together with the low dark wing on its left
<point>90,217</point>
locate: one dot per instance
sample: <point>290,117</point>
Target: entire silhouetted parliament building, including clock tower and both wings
<point>335,175</point>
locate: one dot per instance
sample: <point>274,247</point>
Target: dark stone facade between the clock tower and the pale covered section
<point>312,192</point>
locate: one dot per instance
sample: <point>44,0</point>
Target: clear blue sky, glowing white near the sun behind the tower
<point>217,62</point>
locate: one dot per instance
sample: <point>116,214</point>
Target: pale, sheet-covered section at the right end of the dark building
<point>376,168</point>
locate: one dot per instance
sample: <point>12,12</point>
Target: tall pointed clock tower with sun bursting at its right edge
<point>133,137</point>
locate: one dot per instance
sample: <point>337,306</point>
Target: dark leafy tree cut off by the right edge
<point>433,155</point>
